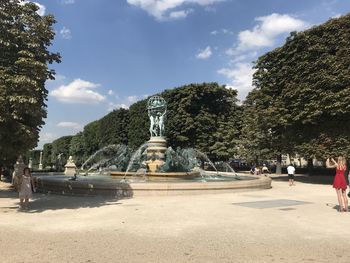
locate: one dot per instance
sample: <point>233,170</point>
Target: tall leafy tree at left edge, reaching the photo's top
<point>24,59</point>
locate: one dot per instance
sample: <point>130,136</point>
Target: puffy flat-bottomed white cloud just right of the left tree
<point>78,91</point>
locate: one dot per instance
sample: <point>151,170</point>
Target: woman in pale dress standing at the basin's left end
<point>25,185</point>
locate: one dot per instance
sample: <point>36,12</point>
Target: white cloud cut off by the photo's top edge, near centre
<point>166,9</point>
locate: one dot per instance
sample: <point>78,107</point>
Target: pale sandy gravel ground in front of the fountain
<point>199,228</point>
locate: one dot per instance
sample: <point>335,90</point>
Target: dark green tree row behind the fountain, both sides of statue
<point>204,116</point>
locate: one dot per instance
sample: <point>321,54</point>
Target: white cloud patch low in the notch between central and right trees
<point>240,76</point>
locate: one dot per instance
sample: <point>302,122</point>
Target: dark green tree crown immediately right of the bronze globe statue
<point>200,116</point>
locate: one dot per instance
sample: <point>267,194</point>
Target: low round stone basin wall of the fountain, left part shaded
<point>107,186</point>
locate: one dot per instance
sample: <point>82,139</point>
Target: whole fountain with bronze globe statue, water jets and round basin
<point>153,169</point>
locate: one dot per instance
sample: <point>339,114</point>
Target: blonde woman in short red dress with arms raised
<point>339,182</point>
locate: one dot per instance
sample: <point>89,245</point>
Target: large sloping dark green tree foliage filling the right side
<point>301,100</point>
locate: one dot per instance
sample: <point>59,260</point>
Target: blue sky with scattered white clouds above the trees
<point>116,52</point>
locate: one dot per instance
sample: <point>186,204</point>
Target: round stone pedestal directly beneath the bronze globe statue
<point>156,153</point>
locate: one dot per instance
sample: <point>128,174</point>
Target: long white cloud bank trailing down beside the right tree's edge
<point>268,29</point>
